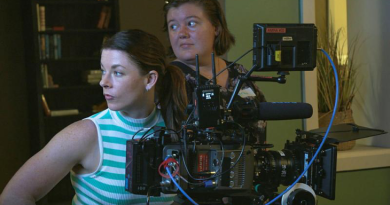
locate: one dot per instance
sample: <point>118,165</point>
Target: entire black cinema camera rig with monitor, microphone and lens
<point>216,156</point>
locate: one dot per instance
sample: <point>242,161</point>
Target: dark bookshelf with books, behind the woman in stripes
<point>62,45</point>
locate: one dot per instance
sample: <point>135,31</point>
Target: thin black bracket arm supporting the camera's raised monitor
<point>281,79</point>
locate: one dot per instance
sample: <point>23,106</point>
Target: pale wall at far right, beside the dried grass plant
<point>371,21</point>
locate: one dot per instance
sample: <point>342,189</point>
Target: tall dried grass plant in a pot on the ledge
<point>346,71</point>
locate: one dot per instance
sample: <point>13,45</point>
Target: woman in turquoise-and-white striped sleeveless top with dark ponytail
<point>141,91</point>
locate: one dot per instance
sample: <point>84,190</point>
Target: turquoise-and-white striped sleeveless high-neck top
<point>106,185</point>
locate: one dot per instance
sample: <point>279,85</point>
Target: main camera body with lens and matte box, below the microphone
<point>209,169</point>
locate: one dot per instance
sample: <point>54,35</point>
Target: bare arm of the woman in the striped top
<point>43,171</point>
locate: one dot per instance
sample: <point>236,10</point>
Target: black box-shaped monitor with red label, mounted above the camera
<point>284,47</point>
